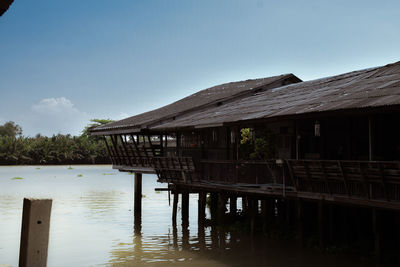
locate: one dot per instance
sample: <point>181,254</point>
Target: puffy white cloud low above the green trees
<point>54,115</point>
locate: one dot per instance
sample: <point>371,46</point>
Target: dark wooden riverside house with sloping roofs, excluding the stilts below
<point>338,138</point>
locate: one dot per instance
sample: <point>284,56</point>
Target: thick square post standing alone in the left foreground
<point>35,232</point>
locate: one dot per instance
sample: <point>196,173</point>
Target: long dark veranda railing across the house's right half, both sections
<point>369,180</point>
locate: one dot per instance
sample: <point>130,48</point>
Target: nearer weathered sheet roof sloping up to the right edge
<point>369,88</point>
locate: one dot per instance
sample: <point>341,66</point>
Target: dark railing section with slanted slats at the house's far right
<point>361,179</point>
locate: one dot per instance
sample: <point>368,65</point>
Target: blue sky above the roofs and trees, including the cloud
<point>65,62</point>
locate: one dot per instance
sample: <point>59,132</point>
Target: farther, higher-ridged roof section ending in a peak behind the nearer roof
<point>206,98</point>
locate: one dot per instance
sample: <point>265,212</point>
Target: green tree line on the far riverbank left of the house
<point>58,149</point>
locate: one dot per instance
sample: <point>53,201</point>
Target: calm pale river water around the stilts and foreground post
<point>92,224</point>
